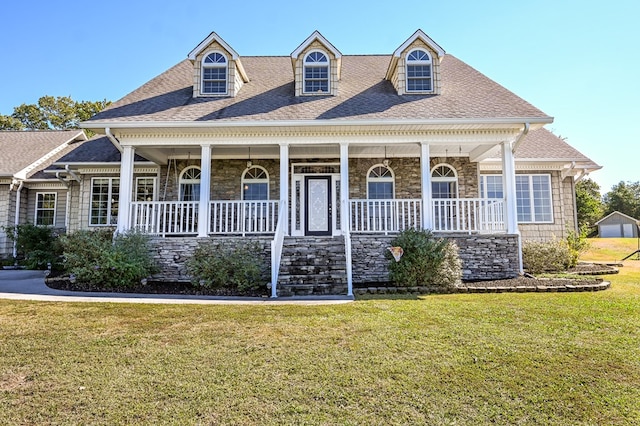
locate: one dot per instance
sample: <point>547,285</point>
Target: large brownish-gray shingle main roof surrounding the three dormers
<point>363,94</point>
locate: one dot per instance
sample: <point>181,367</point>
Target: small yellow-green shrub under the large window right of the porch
<point>549,256</point>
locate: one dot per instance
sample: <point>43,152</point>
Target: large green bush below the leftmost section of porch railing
<point>96,258</point>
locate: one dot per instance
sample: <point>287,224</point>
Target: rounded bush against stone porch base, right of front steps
<point>427,261</point>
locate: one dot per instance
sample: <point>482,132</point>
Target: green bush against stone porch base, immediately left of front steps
<point>237,269</point>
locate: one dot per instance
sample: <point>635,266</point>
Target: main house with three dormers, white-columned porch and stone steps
<point>322,158</point>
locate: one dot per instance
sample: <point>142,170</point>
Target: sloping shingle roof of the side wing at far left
<point>19,149</point>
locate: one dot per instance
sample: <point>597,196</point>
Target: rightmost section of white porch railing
<point>468,215</point>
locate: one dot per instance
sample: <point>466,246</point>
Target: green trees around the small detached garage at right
<point>591,206</point>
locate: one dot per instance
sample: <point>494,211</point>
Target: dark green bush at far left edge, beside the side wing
<point>36,246</point>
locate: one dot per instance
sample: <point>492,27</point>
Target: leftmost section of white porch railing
<point>165,217</point>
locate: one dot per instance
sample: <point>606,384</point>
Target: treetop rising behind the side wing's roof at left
<point>51,113</point>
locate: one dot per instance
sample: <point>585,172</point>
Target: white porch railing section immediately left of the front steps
<point>243,217</point>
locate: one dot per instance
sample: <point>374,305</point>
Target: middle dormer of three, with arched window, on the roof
<point>316,67</point>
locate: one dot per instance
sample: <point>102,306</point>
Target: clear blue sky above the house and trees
<point>576,60</point>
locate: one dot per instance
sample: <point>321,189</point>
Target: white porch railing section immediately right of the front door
<point>392,215</point>
